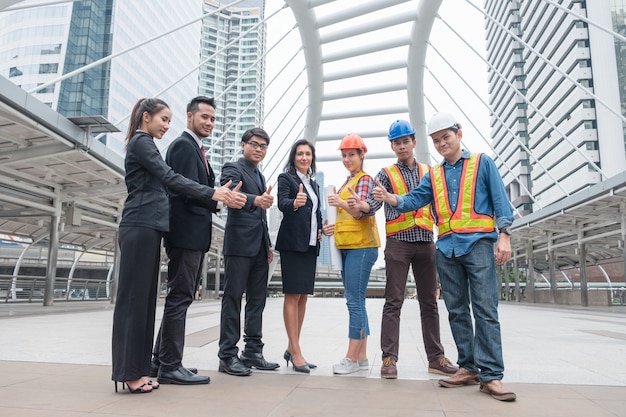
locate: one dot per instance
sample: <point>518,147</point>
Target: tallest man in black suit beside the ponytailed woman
<point>186,243</point>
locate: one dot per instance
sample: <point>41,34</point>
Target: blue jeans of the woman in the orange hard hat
<point>355,274</point>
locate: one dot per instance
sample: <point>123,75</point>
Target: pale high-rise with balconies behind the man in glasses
<point>232,71</point>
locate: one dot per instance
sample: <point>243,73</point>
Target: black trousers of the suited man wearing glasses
<point>249,274</point>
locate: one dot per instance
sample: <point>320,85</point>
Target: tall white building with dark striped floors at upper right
<point>543,130</point>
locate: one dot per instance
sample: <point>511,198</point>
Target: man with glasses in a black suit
<point>247,255</point>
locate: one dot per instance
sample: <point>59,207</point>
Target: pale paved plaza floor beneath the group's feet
<point>55,361</point>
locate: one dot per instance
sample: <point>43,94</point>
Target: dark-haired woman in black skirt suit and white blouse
<point>298,242</point>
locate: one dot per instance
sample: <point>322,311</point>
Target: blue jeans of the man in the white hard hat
<point>473,277</point>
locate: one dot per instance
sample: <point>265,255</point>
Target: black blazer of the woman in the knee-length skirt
<point>295,229</point>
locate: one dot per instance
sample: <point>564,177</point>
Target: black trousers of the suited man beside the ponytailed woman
<point>183,274</point>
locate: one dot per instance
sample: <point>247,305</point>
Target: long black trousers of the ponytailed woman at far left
<point>135,306</point>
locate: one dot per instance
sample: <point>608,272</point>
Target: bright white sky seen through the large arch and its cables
<point>286,99</point>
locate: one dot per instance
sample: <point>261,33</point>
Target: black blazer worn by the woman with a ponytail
<point>147,176</point>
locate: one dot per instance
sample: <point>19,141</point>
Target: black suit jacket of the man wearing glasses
<point>246,228</point>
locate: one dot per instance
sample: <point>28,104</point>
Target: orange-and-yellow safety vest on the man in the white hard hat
<point>464,219</point>
